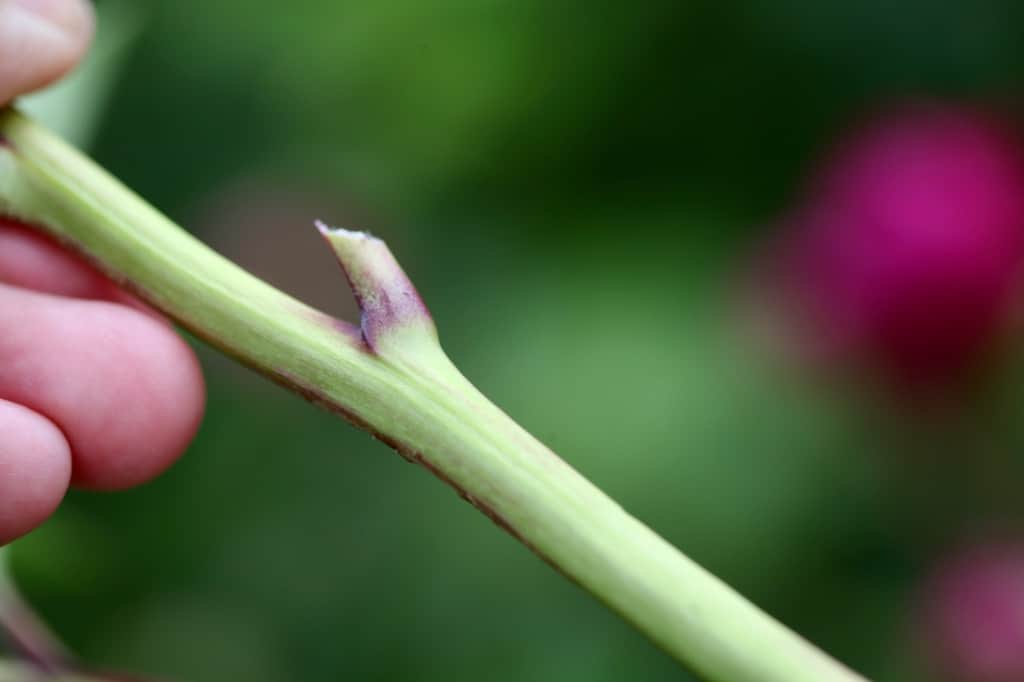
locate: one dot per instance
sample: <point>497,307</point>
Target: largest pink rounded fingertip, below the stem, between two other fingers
<point>125,390</point>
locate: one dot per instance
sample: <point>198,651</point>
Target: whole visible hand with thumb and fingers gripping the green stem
<point>96,390</point>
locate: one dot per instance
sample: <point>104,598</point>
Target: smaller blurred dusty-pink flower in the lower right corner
<point>973,616</point>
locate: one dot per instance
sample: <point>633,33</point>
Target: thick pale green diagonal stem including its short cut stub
<point>393,378</point>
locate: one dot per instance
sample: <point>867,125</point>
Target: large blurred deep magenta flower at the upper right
<point>910,246</point>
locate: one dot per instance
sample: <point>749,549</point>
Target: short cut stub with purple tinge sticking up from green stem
<point>391,306</point>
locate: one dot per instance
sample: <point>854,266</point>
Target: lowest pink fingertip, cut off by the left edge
<point>35,470</point>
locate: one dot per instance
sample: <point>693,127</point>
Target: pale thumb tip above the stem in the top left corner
<point>40,40</point>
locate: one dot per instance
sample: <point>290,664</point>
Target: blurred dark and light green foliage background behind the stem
<point>583,193</point>
